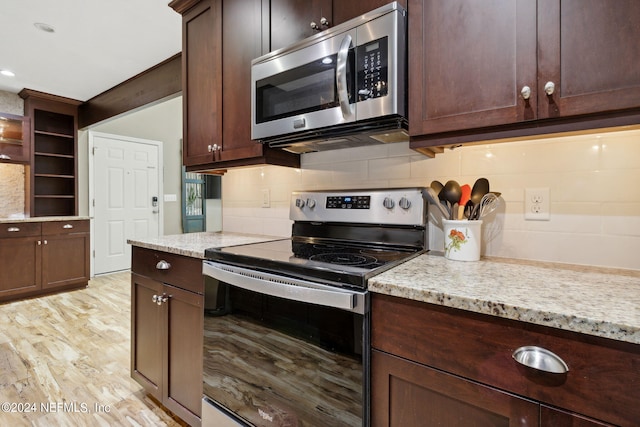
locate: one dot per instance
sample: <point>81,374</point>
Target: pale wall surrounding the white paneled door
<point>159,122</point>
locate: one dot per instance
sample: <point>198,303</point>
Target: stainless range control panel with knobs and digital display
<point>400,206</point>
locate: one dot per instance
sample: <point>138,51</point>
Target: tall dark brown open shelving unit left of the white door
<point>53,171</point>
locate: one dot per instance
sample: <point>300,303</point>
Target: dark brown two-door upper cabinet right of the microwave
<point>482,65</point>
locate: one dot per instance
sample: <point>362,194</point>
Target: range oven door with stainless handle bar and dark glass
<point>280,351</point>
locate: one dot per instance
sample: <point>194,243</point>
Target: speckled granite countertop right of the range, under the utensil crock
<point>593,301</point>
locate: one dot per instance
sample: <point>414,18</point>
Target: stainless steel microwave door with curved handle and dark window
<point>304,89</point>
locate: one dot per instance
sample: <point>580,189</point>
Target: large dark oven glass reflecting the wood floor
<point>276,362</point>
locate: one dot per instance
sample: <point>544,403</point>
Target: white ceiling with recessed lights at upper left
<point>96,45</point>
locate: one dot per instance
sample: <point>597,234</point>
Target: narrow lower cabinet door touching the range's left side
<point>182,392</point>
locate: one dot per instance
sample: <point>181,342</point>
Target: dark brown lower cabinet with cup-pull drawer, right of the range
<point>433,365</point>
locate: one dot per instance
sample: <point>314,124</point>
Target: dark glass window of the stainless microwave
<point>304,89</point>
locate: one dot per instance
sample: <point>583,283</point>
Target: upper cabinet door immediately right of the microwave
<point>468,61</point>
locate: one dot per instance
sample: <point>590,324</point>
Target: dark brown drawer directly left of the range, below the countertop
<point>182,272</point>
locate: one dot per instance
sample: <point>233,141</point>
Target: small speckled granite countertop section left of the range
<point>194,244</point>
